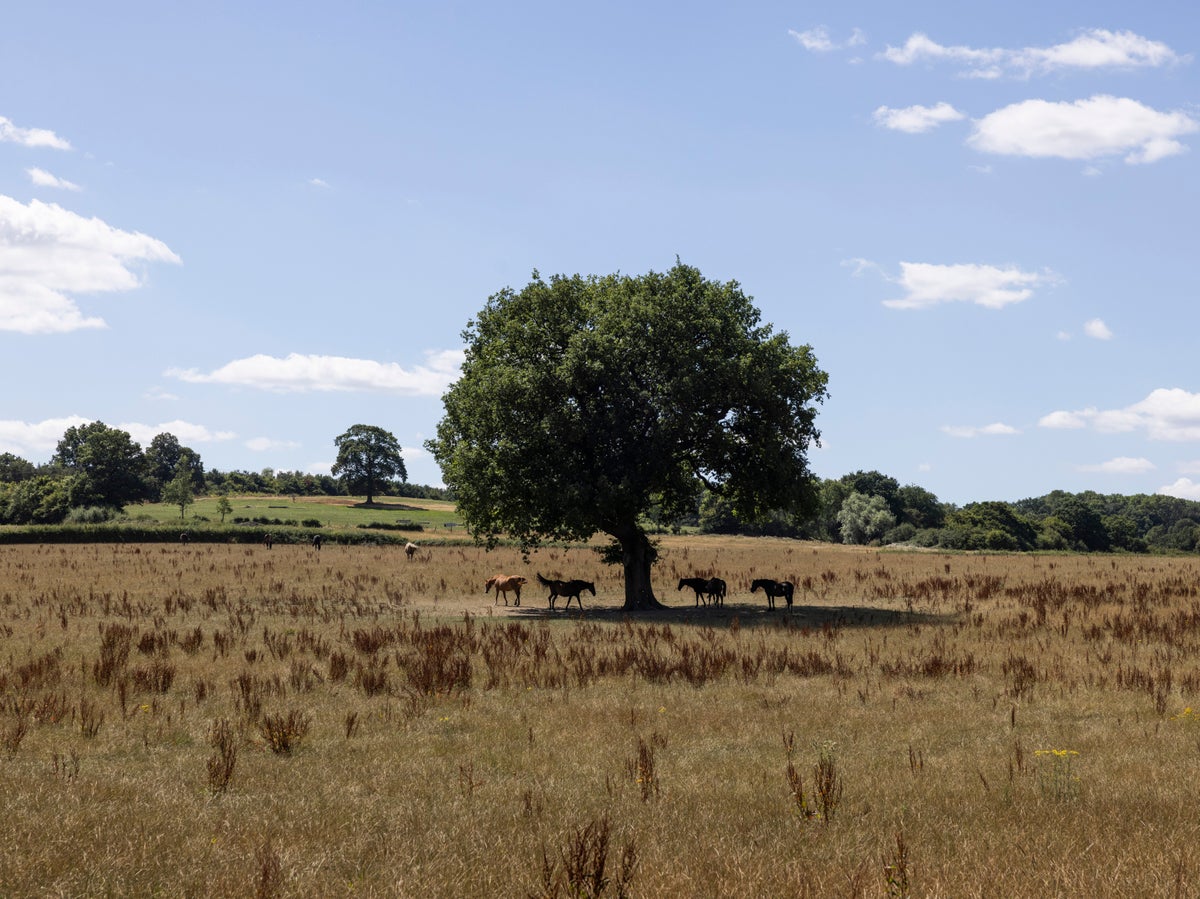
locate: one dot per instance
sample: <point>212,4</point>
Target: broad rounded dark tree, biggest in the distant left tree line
<point>110,465</point>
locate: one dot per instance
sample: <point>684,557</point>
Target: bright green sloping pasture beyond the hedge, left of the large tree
<point>436,518</point>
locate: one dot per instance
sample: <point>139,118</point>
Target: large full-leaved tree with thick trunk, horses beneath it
<point>584,401</point>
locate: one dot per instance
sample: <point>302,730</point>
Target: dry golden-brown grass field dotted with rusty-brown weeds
<point>232,721</point>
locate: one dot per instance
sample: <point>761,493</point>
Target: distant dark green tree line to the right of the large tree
<point>874,510</point>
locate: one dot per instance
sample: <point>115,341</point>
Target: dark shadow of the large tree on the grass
<point>800,618</point>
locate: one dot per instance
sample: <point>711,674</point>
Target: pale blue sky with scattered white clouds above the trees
<point>256,225</point>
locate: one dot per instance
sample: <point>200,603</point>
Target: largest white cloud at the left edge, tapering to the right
<point>49,253</point>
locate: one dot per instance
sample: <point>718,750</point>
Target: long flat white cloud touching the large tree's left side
<point>309,374</point>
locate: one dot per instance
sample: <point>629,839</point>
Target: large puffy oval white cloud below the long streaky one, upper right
<point>1085,130</point>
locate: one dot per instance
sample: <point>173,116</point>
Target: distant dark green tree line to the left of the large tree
<point>97,471</point>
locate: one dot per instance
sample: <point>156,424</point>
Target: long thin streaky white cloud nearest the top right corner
<point>1096,49</point>
